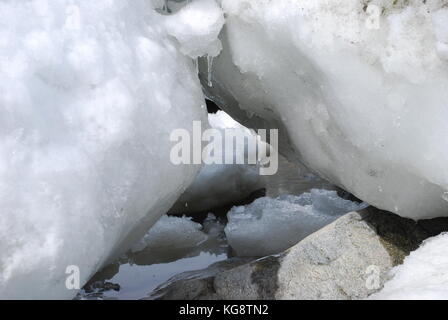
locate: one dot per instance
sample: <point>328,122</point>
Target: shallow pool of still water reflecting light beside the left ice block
<point>137,274</point>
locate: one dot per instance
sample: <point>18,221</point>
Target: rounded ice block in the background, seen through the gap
<point>221,184</point>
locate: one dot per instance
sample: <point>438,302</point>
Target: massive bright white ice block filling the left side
<point>89,94</point>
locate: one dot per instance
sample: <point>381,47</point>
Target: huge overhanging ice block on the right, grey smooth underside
<point>365,107</point>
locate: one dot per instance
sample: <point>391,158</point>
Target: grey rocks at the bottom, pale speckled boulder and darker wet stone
<point>348,259</point>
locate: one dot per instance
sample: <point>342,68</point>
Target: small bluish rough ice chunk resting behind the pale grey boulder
<point>271,225</point>
